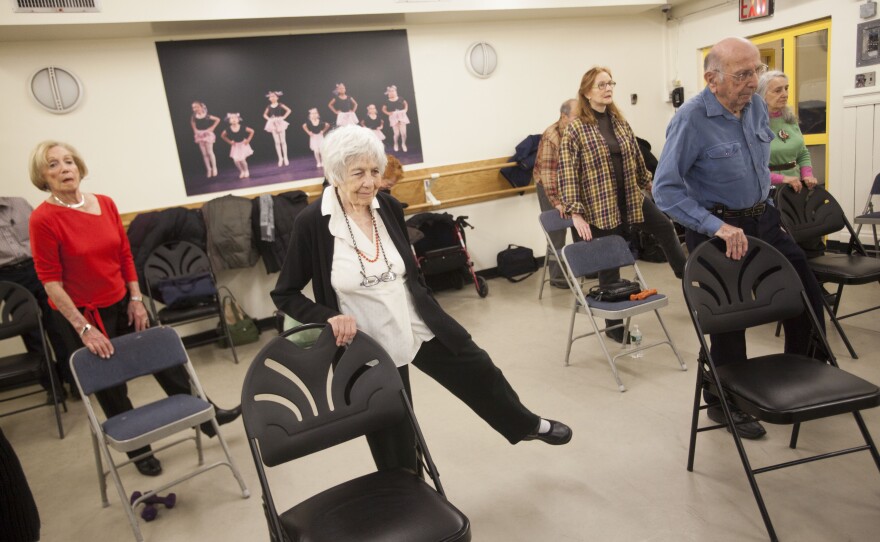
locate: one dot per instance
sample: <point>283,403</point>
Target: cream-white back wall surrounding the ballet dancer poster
<point>123,126</point>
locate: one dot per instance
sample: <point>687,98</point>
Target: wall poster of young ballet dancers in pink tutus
<point>254,111</point>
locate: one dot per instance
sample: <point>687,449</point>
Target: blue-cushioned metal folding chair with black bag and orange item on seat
<point>588,257</point>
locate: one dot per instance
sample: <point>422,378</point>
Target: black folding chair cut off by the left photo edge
<point>20,314</point>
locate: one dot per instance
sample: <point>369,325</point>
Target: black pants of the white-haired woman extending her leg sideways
<point>472,377</point>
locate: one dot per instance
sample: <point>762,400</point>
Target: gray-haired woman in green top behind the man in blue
<point>789,157</point>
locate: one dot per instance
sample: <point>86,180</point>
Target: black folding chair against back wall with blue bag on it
<point>179,259</point>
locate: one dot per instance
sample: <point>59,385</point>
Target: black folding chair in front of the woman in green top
<point>813,213</point>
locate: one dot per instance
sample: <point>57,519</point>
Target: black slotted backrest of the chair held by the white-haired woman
<point>298,401</point>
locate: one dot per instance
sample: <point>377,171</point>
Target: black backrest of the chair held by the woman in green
<point>810,213</point>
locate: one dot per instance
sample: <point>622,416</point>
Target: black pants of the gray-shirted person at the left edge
<point>25,275</point>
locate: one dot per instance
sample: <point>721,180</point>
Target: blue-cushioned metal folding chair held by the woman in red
<point>140,354</point>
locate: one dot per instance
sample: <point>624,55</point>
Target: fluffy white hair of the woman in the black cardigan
<point>344,145</point>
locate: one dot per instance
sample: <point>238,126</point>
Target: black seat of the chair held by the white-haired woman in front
<point>390,505</point>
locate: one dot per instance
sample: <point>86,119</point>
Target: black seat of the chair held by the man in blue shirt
<point>789,388</point>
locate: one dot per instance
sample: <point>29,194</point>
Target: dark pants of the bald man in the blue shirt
<point>731,347</point>
